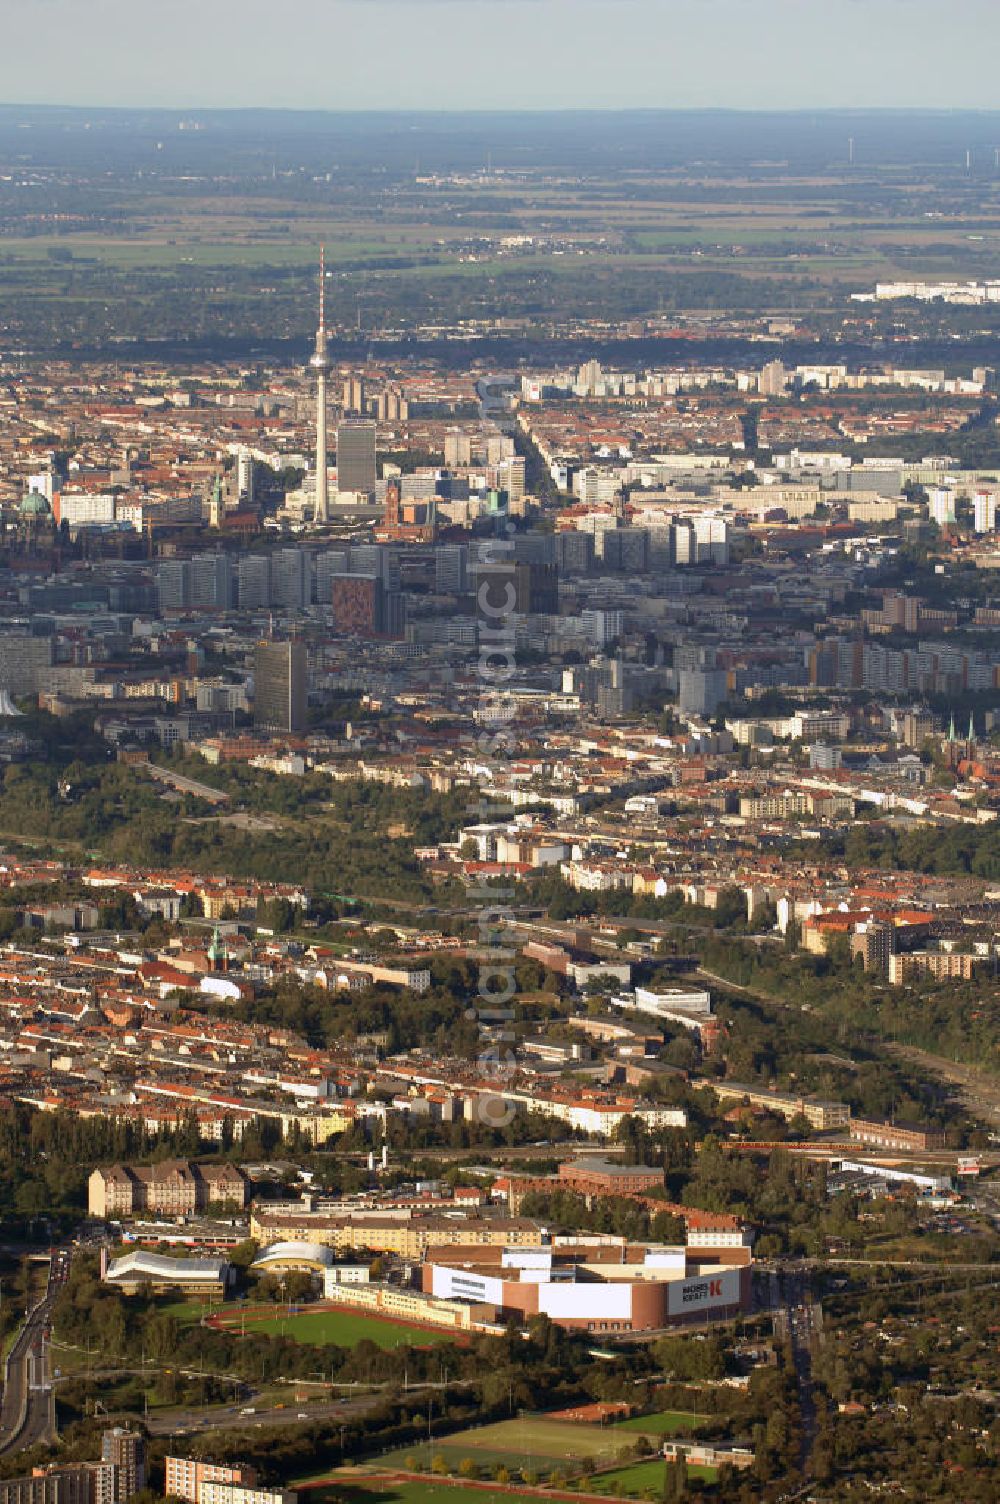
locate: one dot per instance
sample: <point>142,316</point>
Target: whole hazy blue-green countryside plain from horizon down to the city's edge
<point>204,234</point>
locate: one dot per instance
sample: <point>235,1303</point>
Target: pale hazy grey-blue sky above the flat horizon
<point>502,53</point>
